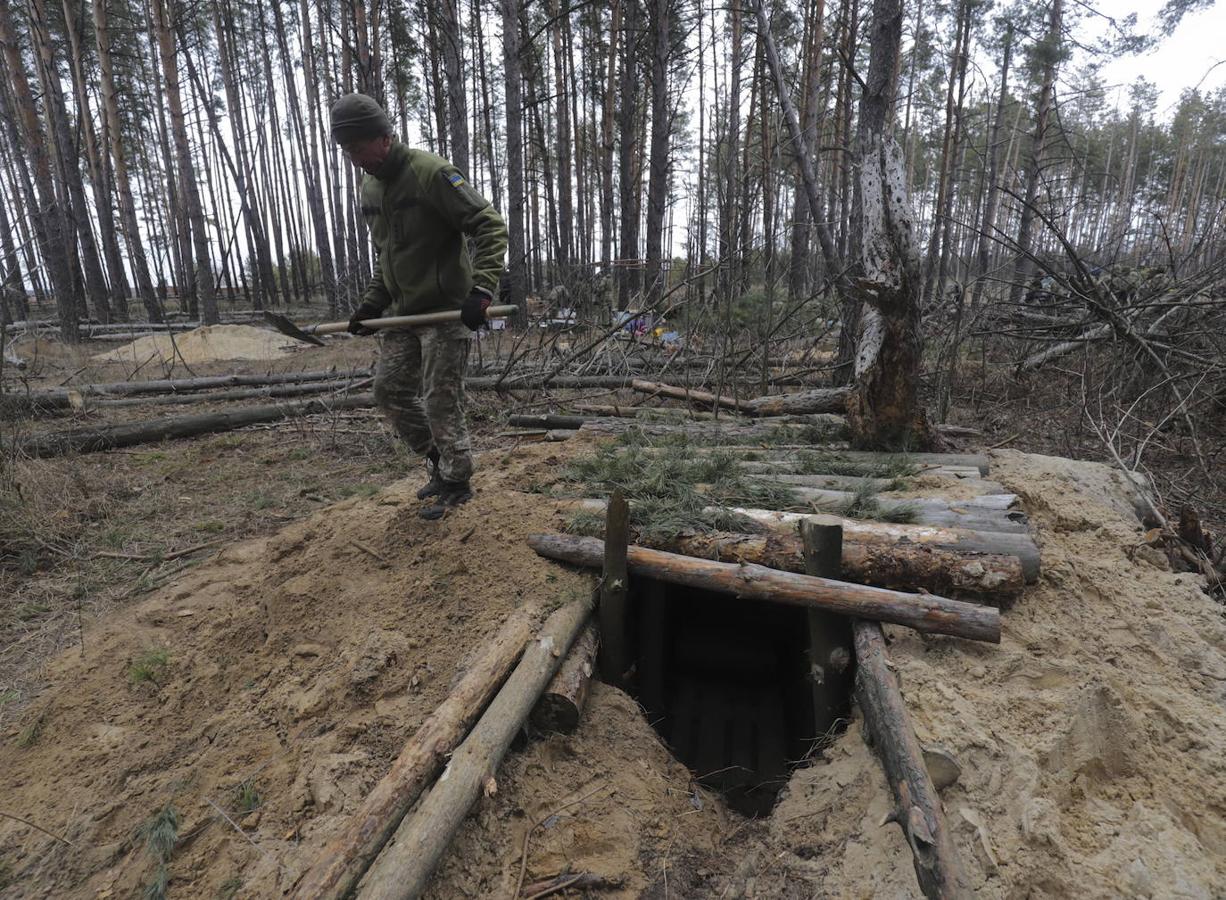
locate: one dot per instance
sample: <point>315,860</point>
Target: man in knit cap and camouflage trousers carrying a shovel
<point>420,208</point>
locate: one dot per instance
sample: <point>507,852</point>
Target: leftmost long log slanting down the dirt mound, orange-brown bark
<point>348,856</point>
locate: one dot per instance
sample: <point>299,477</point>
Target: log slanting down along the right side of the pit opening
<point>918,806</point>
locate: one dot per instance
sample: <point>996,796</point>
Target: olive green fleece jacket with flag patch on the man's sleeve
<point>420,208</point>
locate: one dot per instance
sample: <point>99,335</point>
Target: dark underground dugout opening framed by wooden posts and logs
<point>741,691</point>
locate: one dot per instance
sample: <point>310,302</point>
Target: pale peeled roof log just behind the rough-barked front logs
<point>1000,543</point>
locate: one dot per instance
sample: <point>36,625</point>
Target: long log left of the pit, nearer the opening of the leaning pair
<point>405,866</point>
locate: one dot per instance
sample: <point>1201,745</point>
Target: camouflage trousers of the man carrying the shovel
<point>420,388</point>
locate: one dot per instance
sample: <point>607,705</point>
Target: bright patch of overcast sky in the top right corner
<point>1181,61</point>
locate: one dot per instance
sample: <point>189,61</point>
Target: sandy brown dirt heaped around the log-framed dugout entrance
<point>276,680</point>
